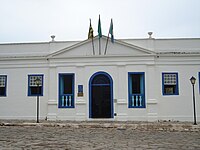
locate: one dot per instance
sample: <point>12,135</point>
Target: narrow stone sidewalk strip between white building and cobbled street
<point>121,125</point>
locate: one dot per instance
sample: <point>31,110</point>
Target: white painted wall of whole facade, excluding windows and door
<point>17,105</point>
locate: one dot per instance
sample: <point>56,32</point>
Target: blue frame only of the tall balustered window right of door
<point>142,94</point>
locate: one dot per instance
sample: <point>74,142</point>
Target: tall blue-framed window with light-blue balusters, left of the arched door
<point>66,90</point>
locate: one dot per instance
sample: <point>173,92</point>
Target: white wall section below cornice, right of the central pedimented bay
<point>179,107</point>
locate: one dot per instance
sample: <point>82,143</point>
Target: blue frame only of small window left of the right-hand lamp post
<point>177,87</point>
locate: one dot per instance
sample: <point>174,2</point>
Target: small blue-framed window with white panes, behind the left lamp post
<point>35,88</point>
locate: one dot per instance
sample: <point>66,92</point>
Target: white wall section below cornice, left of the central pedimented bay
<point>17,104</point>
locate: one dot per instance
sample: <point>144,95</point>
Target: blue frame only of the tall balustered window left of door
<point>59,90</point>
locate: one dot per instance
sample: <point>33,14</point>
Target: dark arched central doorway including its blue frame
<point>101,95</point>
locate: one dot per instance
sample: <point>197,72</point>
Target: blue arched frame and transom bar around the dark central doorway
<point>90,89</point>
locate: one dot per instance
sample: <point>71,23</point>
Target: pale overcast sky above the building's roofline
<point>37,20</point>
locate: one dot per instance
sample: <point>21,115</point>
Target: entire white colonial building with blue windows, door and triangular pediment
<point>136,79</point>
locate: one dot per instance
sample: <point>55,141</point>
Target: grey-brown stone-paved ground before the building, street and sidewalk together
<point>94,135</point>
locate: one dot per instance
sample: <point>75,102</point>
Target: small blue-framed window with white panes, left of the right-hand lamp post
<point>170,83</point>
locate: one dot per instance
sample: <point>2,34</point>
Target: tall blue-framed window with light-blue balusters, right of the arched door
<point>136,85</point>
